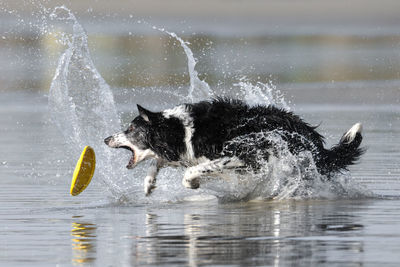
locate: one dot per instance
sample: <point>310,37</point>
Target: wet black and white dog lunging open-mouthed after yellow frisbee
<point>205,138</point>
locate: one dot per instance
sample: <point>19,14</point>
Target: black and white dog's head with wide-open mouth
<point>135,138</point>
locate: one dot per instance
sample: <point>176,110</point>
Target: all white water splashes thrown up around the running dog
<point>82,106</point>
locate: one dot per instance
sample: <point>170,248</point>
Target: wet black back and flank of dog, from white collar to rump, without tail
<point>222,119</point>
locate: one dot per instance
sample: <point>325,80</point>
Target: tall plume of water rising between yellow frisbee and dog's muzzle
<point>81,103</point>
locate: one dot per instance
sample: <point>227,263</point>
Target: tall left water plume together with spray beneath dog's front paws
<point>82,106</point>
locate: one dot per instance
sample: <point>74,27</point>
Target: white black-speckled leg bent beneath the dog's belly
<point>190,178</point>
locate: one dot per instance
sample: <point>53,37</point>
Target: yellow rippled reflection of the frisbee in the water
<point>83,242</point>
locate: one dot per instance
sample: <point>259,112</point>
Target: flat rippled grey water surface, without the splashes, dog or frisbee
<point>42,225</point>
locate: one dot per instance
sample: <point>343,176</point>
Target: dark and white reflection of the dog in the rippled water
<point>271,234</point>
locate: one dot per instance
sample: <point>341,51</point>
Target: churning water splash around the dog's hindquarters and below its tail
<point>284,176</point>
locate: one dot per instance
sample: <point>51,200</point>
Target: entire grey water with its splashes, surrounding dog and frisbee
<point>353,222</point>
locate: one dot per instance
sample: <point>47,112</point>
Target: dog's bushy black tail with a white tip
<point>346,153</point>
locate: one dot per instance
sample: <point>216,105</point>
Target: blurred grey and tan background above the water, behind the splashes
<point>302,46</point>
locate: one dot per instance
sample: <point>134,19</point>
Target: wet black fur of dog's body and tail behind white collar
<point>220,120</point>
